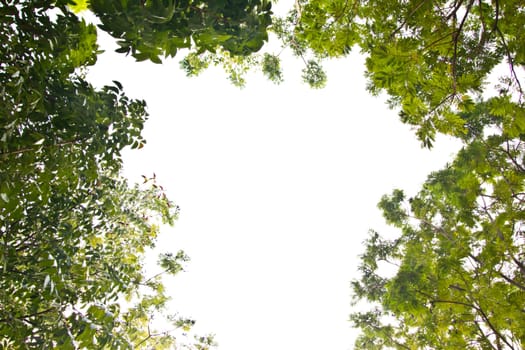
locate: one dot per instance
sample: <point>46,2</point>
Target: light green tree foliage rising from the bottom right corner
<point>458,261</point>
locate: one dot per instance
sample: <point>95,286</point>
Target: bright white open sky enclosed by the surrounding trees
<point>278,186</point>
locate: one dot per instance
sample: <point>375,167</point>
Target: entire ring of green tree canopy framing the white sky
<point>73,232</point>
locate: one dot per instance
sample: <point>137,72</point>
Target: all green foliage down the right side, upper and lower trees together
<point>453,276</point>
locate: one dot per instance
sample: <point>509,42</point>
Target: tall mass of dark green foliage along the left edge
<point>73,232</point>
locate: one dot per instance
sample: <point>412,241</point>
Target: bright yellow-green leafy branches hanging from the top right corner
<point>431,57</point>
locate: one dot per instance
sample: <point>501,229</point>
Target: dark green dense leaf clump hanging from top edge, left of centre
<point>152,28</point>
